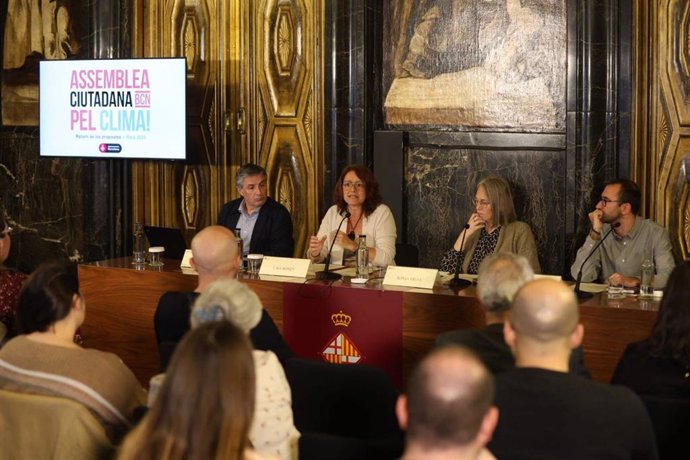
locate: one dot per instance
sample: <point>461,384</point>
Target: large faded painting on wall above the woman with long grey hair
<point>497,65</point>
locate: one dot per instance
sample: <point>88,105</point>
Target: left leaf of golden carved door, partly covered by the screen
<point>184,194</point>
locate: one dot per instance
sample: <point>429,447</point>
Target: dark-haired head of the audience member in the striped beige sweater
<point>49,295</point>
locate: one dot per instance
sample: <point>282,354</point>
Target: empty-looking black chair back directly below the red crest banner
<point>345,410</point>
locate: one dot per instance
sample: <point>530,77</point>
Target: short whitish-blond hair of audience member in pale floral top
<point>230,300</point>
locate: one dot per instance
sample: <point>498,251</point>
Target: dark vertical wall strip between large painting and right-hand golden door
<point>599,104</point>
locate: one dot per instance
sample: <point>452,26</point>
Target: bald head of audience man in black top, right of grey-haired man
<point>543,322</point>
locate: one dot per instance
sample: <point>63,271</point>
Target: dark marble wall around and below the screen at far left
<point>67,208</point>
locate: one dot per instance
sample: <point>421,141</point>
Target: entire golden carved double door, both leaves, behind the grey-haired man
<point>253,94</point>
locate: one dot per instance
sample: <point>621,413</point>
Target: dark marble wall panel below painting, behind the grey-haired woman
<point>441,177</point>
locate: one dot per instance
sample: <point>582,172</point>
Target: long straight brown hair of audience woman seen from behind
<point>206,404</point>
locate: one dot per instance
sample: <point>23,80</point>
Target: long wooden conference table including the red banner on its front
<point>392,326</point>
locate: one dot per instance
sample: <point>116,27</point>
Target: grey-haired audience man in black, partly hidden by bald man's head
<point>500,277</point>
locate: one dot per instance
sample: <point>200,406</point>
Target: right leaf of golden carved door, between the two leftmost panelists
<point>288,106</point>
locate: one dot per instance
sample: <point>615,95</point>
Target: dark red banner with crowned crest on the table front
<point>345,325</point>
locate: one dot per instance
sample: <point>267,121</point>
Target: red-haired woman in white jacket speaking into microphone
<point>357,194</point>
